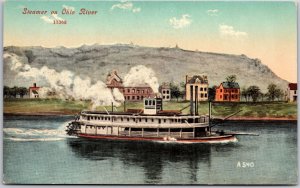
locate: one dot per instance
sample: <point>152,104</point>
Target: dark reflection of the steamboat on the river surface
<point>152,157</point>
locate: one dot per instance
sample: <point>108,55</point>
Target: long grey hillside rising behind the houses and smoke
<point>169,64</point>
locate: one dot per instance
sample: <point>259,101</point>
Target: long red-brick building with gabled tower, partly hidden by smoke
<point>130,93</point>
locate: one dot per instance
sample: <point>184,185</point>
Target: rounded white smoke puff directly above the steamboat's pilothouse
<point>141,76</point>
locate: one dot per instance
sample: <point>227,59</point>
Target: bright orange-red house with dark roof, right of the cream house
<point>228,91</point>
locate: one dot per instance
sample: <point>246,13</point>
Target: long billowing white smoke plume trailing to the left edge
<point>66,84</point>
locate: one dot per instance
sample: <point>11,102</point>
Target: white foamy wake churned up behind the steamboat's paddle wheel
<point>27,135</point>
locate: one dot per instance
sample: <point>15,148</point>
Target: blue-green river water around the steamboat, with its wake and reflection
<point>37,151</point>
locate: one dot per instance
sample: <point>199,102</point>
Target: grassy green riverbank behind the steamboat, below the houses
<point>57,106</point>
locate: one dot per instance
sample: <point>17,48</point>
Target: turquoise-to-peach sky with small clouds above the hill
<point>263,30</point>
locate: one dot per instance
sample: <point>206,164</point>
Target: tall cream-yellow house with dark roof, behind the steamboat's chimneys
<point>199,83</point>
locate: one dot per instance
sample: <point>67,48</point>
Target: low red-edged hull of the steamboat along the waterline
<point>211,139</point>
